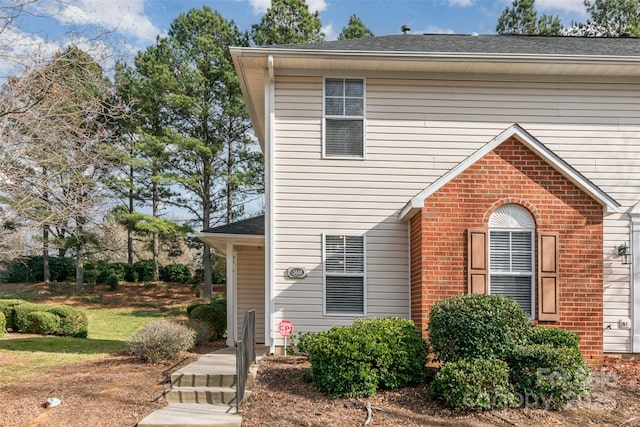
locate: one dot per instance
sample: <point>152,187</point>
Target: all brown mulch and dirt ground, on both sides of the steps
<point>116,390</point>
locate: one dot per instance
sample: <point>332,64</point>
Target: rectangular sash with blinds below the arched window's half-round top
<point>511,266</point>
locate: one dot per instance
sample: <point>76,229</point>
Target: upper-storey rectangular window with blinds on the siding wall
<point>344,118</point>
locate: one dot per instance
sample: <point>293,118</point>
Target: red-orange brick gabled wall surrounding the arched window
<point>512,174</point>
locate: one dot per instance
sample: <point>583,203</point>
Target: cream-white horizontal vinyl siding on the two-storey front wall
<point>417,128</point>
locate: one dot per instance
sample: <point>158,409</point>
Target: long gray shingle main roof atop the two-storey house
<point>483,44</point>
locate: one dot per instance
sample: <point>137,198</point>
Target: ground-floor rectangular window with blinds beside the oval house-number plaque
<point>344,274</point>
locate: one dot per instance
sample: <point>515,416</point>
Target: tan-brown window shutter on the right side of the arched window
<point>548,309</point>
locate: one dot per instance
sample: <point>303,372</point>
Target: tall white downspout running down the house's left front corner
<point>270,204</point>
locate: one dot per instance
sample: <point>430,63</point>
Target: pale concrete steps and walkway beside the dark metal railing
<point>203,393</point>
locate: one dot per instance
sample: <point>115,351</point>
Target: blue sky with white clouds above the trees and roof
<point>131,25</point>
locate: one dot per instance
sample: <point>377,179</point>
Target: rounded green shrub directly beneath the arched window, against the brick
<point>476,326</point>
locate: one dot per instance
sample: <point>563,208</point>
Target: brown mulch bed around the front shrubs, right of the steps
<point>281,398</point>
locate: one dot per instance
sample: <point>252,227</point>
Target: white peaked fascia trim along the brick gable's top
<point>608,203</point>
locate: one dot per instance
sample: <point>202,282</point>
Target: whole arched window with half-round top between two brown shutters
<point>512,255</point>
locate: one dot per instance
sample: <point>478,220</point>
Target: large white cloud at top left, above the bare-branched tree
<point>122,16</point>
